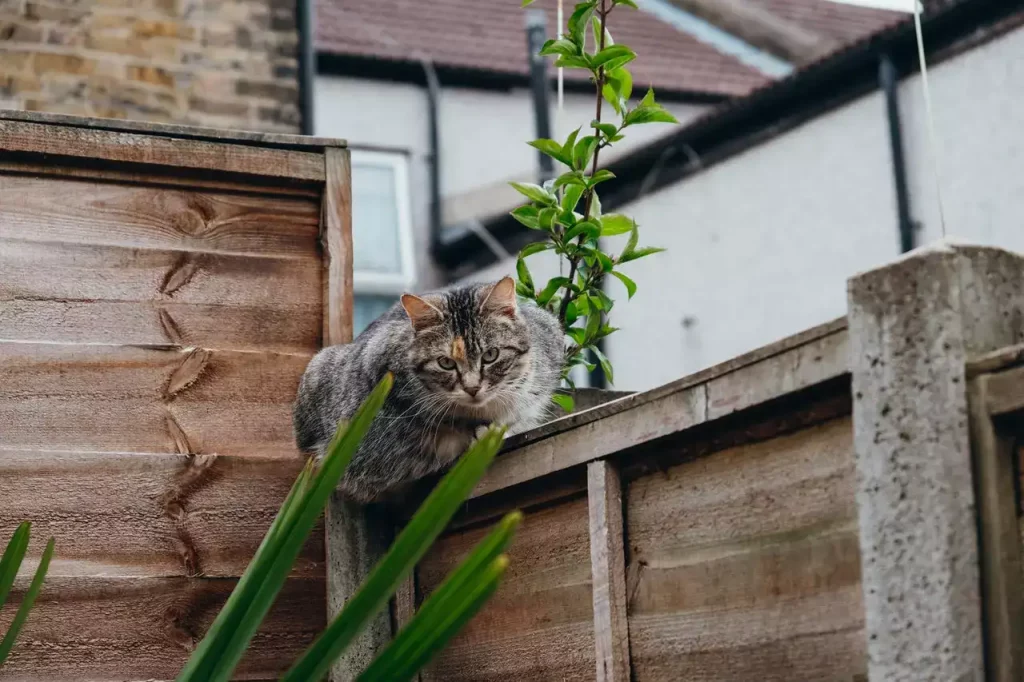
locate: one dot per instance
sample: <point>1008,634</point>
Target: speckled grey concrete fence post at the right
<point>914,326</point>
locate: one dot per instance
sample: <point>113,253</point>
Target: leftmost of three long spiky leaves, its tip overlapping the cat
<point>222,650</point>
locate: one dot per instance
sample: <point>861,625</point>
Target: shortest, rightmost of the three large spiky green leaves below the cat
<point>455,602</point>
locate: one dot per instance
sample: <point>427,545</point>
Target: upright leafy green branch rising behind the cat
<point>579,300</point>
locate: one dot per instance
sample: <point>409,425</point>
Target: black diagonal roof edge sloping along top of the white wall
<point>951,26</point>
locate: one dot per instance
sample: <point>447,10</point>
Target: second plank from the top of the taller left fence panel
<point>74,293</point>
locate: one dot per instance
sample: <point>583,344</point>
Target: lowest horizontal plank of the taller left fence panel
<point>103,630</point>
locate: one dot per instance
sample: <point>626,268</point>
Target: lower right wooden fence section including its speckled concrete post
<point>809,511</point>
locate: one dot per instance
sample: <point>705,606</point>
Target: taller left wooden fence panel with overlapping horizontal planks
<point>161,292</point>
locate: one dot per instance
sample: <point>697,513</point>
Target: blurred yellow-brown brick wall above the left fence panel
<point>216,63</point>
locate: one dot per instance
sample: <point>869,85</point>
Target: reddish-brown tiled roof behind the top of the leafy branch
<point>489,36</point>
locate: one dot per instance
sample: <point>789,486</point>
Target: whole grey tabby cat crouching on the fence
<point>463,358</point>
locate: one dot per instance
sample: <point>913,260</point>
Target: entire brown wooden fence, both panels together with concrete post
<point>842,505</point>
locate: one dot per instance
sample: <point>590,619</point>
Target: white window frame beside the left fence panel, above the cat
<point>380,283</point>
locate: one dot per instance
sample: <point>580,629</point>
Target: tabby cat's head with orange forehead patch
<point>472,345</point>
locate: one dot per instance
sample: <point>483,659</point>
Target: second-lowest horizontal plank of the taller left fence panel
<point>148,516</point>
